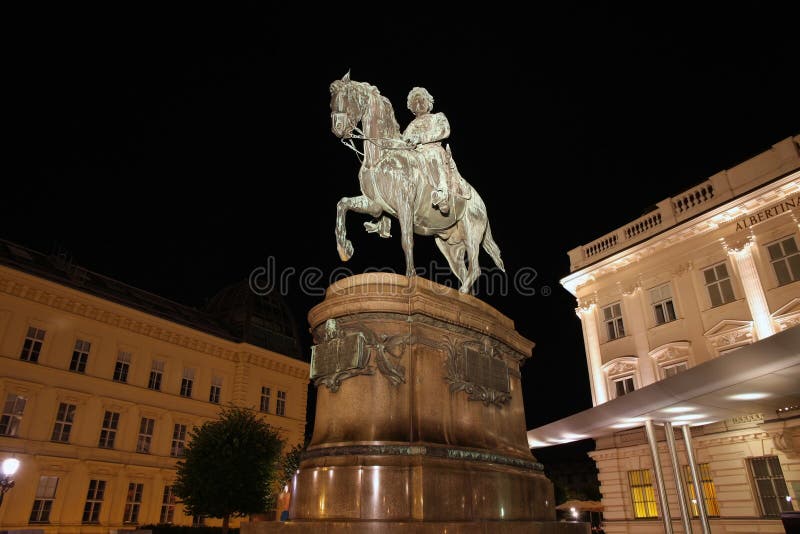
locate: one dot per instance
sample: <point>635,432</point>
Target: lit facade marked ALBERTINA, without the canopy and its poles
<point>710,270</point>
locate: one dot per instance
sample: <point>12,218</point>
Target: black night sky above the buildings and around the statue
<point>179,148</point>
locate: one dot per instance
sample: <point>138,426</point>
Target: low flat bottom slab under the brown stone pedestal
<point>415,527</point>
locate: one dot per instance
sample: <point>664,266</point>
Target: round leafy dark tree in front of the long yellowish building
<point>228,465</point>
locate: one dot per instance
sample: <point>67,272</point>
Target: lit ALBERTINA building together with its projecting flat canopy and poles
<point>690,319</point>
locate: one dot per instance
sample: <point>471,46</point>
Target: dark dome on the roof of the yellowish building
<point>262,320</point>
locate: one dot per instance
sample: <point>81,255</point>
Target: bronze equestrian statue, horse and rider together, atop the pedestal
<point>411,177</point>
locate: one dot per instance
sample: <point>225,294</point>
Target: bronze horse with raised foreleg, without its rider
<point>393,181</point>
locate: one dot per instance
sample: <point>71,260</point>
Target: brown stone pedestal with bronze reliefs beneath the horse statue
<point>420,425</point>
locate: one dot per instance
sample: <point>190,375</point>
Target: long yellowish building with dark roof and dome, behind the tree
<point>102,383</point>
